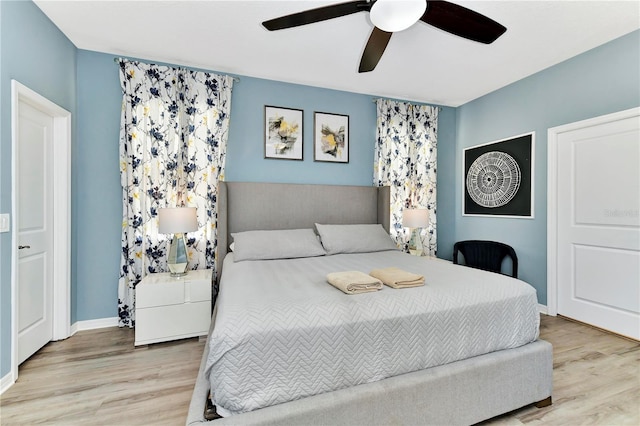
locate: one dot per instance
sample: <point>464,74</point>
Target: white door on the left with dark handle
<point>35,230</point>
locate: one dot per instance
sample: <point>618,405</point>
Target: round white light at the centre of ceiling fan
<point>396,15</point>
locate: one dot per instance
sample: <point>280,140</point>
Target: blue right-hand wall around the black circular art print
<point>600,81</point>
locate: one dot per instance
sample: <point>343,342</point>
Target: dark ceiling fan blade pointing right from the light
<point>462,22</point>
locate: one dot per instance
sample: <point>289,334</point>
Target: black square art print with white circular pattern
<point>498,178</point>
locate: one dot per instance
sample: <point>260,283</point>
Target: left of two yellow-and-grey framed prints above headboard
<point>282,133</point>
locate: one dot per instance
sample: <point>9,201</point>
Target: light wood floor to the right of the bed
<point>596,378</point>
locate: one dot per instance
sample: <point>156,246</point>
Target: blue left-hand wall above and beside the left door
<point>38,55</point>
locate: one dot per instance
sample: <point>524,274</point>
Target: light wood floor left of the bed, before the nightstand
<point>97,377</point>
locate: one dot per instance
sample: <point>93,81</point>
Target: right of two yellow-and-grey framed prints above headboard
<point>331,137</point>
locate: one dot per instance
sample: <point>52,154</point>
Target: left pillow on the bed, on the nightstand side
<point>276,244</point>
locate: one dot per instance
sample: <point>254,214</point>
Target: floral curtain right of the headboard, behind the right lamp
<point>405,160</point>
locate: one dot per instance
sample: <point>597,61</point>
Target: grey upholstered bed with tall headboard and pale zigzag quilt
<point>462,365</point>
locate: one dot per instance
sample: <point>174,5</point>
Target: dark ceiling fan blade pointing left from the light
<point>316,15</point>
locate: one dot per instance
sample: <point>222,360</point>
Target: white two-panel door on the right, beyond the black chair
<point>598,224</point>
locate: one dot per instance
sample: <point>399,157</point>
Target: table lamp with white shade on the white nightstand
<point>177,221</point>
